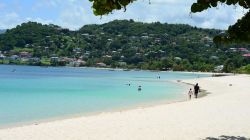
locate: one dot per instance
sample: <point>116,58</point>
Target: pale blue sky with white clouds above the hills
<point>73,14</point>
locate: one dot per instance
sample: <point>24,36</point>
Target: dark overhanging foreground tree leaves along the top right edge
<point>239,32</point>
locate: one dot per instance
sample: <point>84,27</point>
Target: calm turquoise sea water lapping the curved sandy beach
<point>29,94</point>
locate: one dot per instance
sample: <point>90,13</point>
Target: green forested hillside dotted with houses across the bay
<point>123,44</point>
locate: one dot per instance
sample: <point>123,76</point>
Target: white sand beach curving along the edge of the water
<point>224,112</point>
